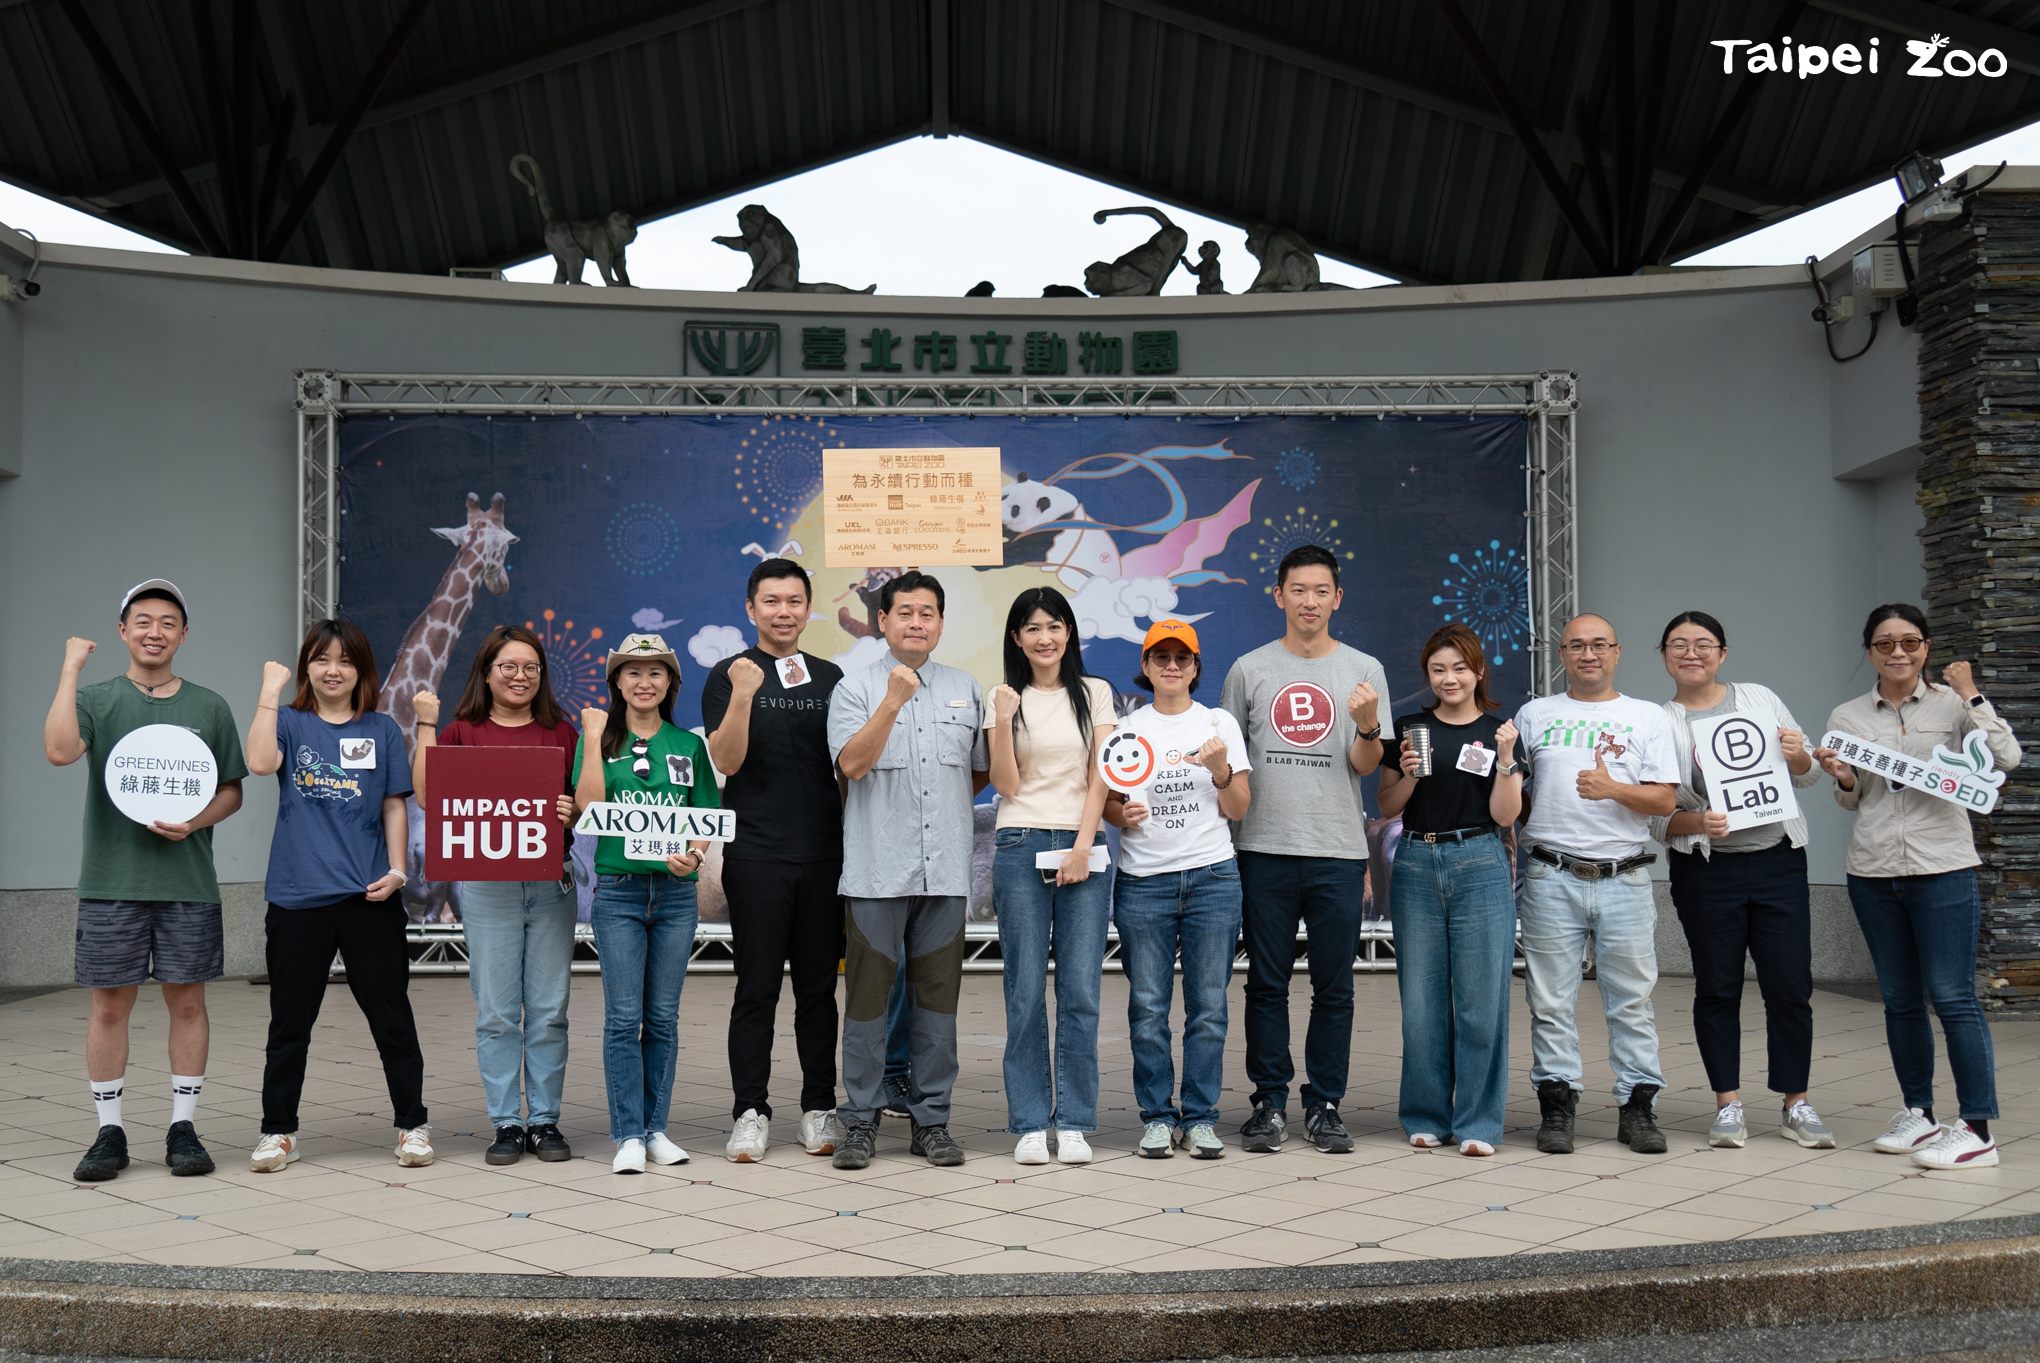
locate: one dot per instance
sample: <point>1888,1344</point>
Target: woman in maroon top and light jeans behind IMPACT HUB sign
<point>519,933</point>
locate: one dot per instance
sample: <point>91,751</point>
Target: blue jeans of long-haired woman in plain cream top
<point>1035,923</point>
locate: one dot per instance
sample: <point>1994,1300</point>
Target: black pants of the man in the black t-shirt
<point>784,913</point>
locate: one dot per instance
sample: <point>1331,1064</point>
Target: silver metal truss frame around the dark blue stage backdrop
<point>1551,478</point>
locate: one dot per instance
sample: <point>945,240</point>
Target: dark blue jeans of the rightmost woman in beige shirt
<point>1923,938</point>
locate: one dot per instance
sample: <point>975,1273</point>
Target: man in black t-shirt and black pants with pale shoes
<point>766,713</point>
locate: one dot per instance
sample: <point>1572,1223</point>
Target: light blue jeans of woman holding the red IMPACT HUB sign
<point>519,956</point>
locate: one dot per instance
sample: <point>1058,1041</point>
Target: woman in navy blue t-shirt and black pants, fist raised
<point>336,870</point>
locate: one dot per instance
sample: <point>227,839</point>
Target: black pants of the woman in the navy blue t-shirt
<point>370,942</point>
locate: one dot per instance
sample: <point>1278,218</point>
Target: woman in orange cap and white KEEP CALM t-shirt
<point>1178,889</point>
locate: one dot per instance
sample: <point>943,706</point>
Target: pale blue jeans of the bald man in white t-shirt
<point>1560,911</point>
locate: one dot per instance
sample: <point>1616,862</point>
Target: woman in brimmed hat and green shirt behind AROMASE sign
<point>646,907</point>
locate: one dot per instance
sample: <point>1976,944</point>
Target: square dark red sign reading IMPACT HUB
<point>493,813</point>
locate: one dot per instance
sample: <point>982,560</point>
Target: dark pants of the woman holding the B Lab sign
<point>1749,903</point>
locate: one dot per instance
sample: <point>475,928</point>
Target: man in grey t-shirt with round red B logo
<point>1311,711</point>
